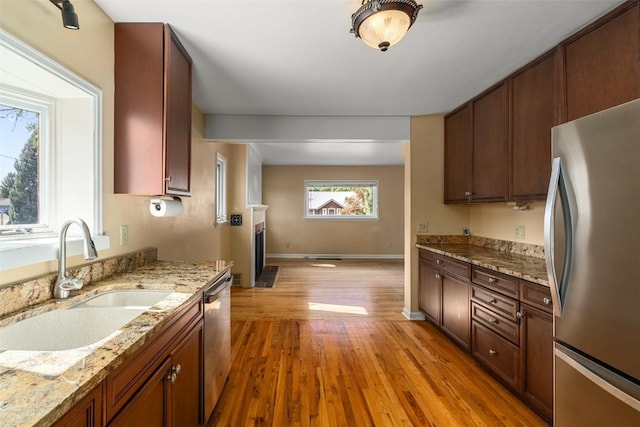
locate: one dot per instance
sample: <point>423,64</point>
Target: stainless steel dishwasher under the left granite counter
<point>217,340</point>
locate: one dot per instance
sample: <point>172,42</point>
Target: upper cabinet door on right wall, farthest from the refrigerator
<point>457,155</point>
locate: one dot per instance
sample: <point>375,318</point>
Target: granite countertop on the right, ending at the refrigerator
<point>524,267</point>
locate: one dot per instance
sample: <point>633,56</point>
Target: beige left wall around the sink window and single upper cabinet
<point>89,53</point>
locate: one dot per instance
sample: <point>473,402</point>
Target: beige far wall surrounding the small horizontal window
<point>288,233</point>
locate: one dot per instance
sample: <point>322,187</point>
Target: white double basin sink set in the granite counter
<point>79,325</point>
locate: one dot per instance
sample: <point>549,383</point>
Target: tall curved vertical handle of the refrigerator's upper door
<point>558,187</point>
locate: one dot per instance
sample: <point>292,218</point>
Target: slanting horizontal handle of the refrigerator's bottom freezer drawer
<point>601,377</point>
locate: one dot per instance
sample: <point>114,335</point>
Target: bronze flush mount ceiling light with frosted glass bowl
<point>382,23</point>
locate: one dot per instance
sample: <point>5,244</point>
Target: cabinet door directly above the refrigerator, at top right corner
<point>601,64</point>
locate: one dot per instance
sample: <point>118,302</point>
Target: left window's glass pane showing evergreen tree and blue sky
<point>19,136</point>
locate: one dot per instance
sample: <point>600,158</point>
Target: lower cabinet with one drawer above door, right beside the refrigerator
<point>537,348</point>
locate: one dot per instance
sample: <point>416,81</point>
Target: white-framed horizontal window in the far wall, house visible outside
<point>341,199</point>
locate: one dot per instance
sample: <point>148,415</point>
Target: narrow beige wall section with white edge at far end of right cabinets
<point>424,187</point>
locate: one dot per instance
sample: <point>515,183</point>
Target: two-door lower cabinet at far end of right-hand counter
<point>444,295</point>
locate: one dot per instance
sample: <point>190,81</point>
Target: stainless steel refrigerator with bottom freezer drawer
<point>592,246</point>
